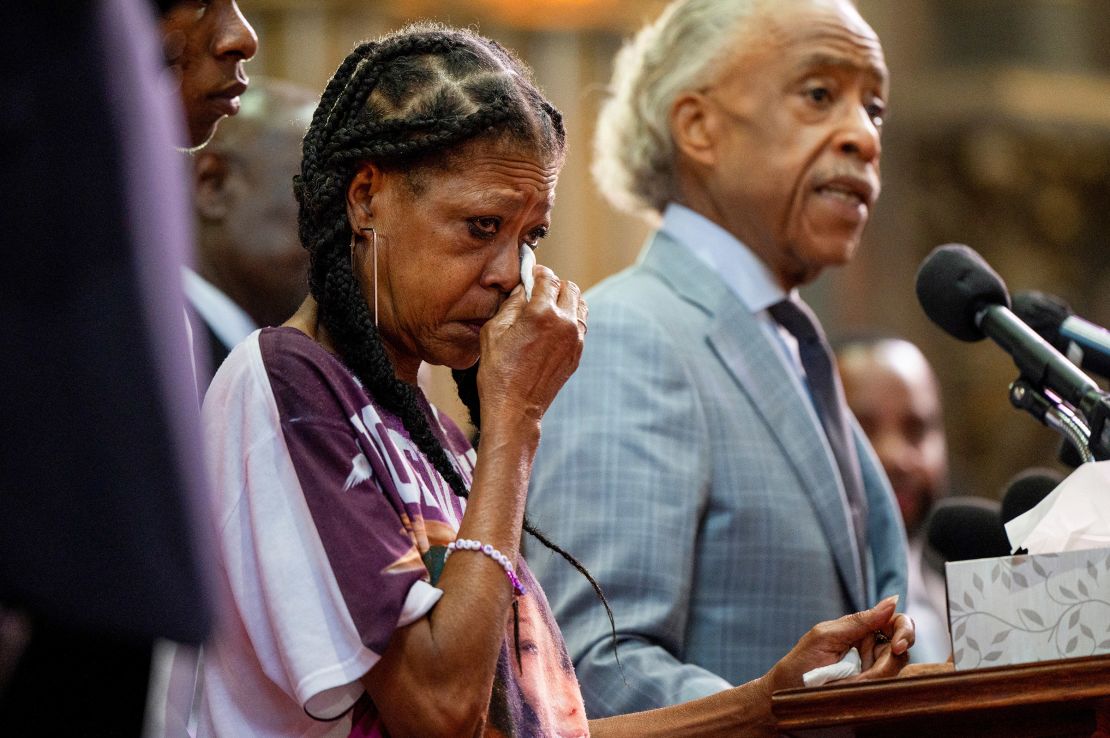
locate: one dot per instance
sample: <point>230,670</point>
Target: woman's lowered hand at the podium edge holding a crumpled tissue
<point>882,655</point>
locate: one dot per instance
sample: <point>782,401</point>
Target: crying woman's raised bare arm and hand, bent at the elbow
<point>529,350</point>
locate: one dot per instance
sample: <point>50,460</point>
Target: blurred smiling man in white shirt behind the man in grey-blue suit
<point>894,393</point>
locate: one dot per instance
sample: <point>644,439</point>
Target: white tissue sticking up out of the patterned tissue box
<point>1075,517</point>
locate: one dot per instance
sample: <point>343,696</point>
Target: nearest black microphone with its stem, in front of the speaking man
<point>964,296</point>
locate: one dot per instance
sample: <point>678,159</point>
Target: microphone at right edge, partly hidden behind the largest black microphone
<point>1085,343</point>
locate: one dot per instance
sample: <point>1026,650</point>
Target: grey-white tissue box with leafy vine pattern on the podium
<point>1017,610</point>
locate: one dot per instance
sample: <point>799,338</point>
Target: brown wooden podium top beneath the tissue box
<point>1050,699</point>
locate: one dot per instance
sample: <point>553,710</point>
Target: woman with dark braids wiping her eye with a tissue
<point>370,558</point>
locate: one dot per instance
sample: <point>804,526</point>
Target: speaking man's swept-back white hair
<point>634,155</point>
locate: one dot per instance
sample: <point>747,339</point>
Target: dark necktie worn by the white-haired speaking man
<point>829,399</point>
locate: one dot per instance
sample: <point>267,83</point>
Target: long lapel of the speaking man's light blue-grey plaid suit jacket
<point>744,350</point>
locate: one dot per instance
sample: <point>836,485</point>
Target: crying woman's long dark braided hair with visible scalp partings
<point>406,102</point>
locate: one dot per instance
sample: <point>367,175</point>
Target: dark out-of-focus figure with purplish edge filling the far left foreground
<point>102,464</point>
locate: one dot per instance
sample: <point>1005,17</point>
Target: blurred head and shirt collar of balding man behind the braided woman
<point>250,265</point>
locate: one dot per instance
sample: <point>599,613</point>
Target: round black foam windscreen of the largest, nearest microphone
<point>954,284</point>
